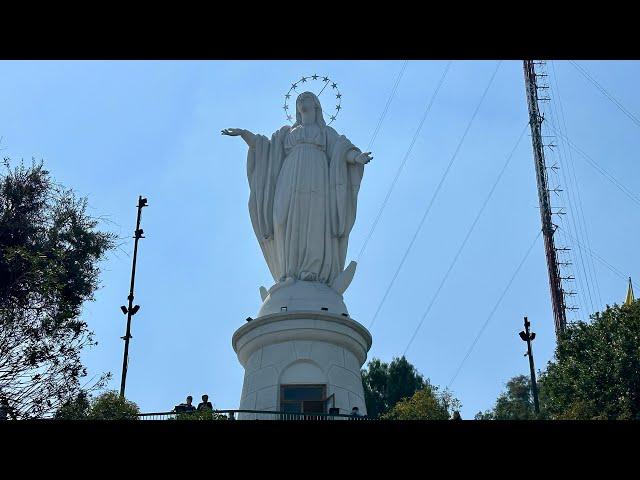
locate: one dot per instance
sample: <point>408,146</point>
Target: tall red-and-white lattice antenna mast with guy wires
<point>548,229</point>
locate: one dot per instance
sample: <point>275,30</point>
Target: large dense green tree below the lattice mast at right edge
<point>595,373</point>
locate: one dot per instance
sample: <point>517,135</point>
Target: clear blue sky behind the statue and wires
<point>115,129</point>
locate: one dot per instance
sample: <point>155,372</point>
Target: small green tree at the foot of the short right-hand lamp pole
<point>516,403</point>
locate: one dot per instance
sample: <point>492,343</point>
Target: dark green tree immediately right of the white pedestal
<point>386,384</point>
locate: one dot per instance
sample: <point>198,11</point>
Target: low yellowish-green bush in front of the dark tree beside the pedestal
<point>426,404</point>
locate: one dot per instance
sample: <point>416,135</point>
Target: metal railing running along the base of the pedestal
<point>250,415</point>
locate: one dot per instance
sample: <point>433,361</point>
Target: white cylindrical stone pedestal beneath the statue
<point>301,348</point>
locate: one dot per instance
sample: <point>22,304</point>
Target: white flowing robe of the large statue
<point>302,203</point>
